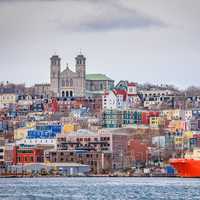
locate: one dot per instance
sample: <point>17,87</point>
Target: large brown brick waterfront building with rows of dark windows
<point>103,151</point>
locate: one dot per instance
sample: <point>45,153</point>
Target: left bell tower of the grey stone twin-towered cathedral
<point>55,74</point>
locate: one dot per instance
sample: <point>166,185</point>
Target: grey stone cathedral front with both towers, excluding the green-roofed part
<point>68,83</point>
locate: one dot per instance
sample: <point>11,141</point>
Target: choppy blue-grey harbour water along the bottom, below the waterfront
<point>99,188</point>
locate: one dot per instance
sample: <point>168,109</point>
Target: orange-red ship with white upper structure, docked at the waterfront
<point>189,166</point>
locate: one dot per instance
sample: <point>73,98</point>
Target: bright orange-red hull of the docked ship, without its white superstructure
<point>186,167</point>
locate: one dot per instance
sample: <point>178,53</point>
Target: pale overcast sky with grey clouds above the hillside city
<point>154,41</point>
